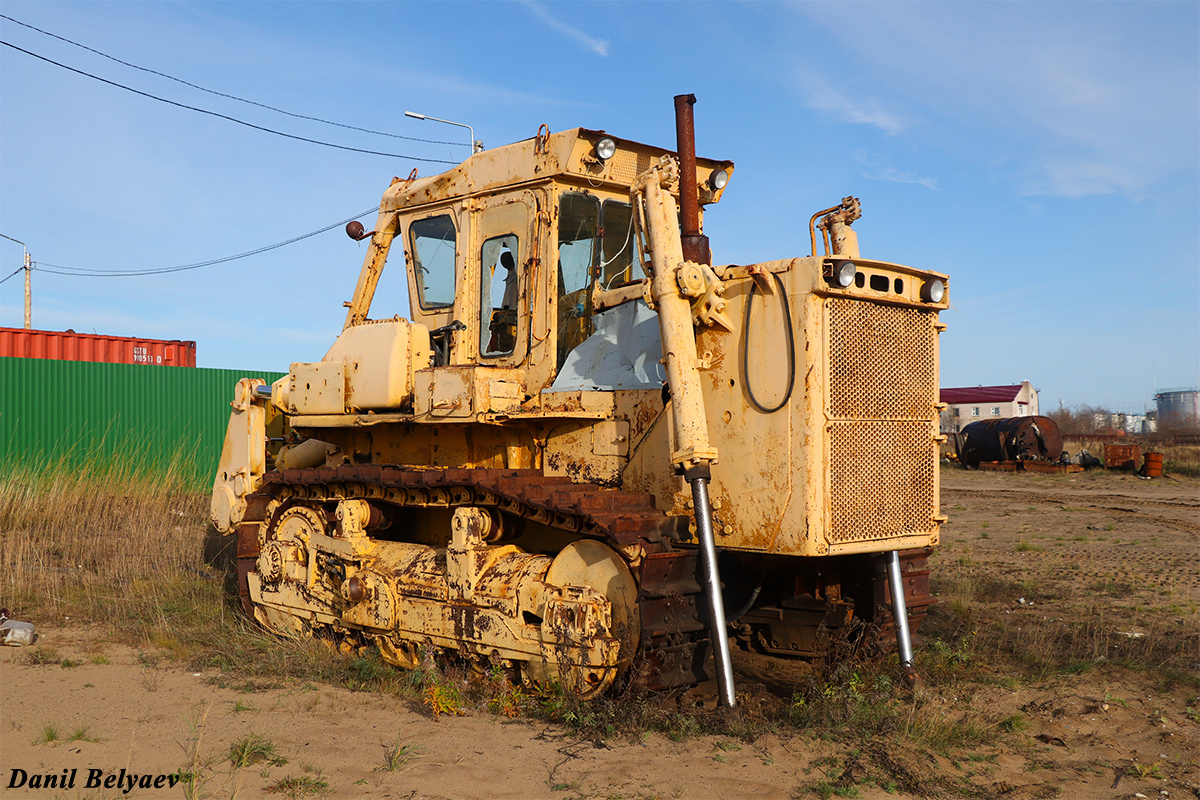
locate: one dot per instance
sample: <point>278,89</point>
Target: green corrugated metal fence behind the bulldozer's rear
<point>86,416</point>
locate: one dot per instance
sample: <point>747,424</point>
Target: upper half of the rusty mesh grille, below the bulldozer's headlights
<point>881,362</point>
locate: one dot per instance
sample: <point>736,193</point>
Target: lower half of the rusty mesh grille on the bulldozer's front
<point>881,480</point>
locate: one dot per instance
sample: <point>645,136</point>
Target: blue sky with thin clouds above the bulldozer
<point>1046,155</point>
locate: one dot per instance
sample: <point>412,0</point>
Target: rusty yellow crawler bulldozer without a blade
<point>587,452</point>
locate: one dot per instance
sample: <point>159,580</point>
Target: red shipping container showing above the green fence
<point>69,346</point>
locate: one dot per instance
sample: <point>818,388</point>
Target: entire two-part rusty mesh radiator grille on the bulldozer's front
<point>881,404</point>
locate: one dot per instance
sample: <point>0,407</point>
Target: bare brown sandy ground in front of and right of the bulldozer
<point>1111,540</point>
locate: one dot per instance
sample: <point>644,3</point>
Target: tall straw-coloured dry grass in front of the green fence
<point>105,545</point>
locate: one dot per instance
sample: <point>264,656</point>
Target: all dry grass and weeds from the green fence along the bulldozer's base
<point>136,555</point>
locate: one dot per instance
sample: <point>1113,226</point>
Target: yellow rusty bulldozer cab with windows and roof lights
<point>506,254</point>
